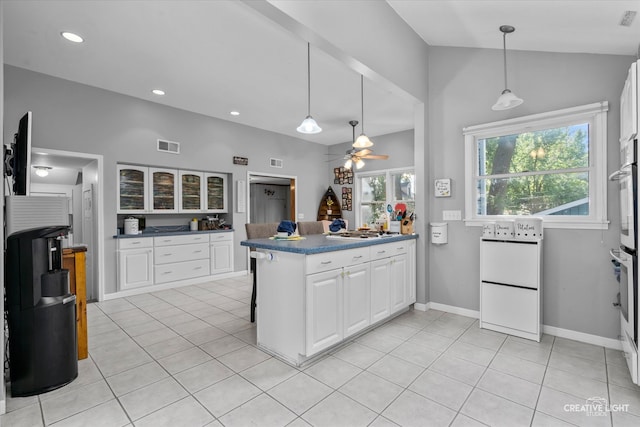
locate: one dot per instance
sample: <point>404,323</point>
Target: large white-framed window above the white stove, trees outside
<point>551,165</point>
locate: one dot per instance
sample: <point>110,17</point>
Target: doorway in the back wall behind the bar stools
<point>271,198</point>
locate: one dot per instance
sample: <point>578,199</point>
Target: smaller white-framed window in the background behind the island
<point>376,190</point>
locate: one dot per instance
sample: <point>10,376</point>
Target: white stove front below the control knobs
<point>511,287</point>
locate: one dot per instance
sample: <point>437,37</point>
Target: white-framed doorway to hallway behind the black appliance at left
<point>78,176</point>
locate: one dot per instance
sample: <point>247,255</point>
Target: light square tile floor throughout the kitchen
<point>187,357</point>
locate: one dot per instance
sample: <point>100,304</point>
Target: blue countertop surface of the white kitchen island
<point>336,245</point>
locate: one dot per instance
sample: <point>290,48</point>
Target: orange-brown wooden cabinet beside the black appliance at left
<point>74,260</point>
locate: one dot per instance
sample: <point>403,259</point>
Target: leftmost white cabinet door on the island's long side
<point>324,310</point>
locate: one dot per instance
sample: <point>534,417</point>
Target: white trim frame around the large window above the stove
<point>595,114</point>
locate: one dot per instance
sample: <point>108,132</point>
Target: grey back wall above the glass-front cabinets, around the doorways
<point>75,117</point>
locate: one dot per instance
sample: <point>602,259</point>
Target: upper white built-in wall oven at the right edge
<point>627,178</point>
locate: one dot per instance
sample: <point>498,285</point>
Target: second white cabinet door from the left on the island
<point>357,306</point>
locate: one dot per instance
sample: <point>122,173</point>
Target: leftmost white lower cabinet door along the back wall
<point>135,263</point>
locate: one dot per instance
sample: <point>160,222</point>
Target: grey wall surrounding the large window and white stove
<point>579,286</point>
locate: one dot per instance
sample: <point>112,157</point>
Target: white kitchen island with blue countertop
<point>315,293</point>
